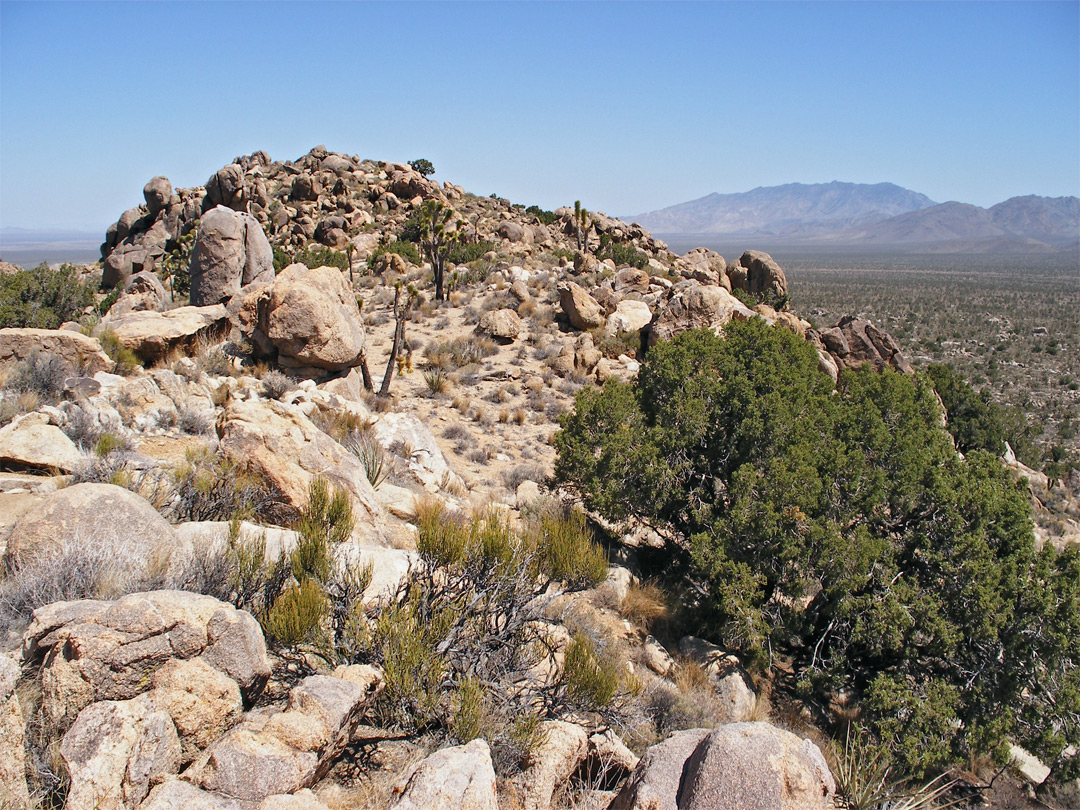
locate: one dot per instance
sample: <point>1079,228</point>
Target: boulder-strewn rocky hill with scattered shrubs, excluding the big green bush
<point>278,529</point>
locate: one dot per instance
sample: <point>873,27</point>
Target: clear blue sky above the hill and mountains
<point>628,107</point>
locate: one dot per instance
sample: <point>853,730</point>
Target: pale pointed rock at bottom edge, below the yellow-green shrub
<point>461,777</point>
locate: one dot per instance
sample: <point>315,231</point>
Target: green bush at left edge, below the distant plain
<point>44,299</point>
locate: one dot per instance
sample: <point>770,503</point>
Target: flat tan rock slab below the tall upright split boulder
<point>153,335</point>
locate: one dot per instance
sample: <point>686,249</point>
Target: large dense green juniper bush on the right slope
<point>844,530</point>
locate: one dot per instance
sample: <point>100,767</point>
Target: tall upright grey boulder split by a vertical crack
<point>232,252</point>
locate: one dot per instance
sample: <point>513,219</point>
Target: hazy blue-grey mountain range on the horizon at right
<point>876,217</point>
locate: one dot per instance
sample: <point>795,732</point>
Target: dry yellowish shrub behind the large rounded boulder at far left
<point>210,488</point>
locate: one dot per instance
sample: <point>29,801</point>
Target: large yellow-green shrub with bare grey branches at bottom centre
<point>469,613</point>
